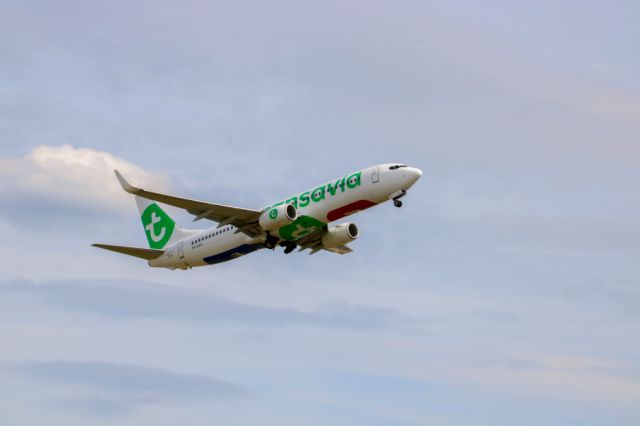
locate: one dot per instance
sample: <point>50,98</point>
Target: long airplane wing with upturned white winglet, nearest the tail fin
<point>246,220</point>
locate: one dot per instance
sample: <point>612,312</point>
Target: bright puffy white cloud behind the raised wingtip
<point>72,175</point>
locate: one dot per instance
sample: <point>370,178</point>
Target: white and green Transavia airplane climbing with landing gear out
<point>303,221</point>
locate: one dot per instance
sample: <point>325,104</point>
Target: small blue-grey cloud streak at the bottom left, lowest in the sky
<point>106,389</point>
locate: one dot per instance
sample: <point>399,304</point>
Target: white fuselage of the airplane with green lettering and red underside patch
<point>316,208</point>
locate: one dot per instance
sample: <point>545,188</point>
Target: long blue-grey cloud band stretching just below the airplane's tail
<point>146,300</point>
